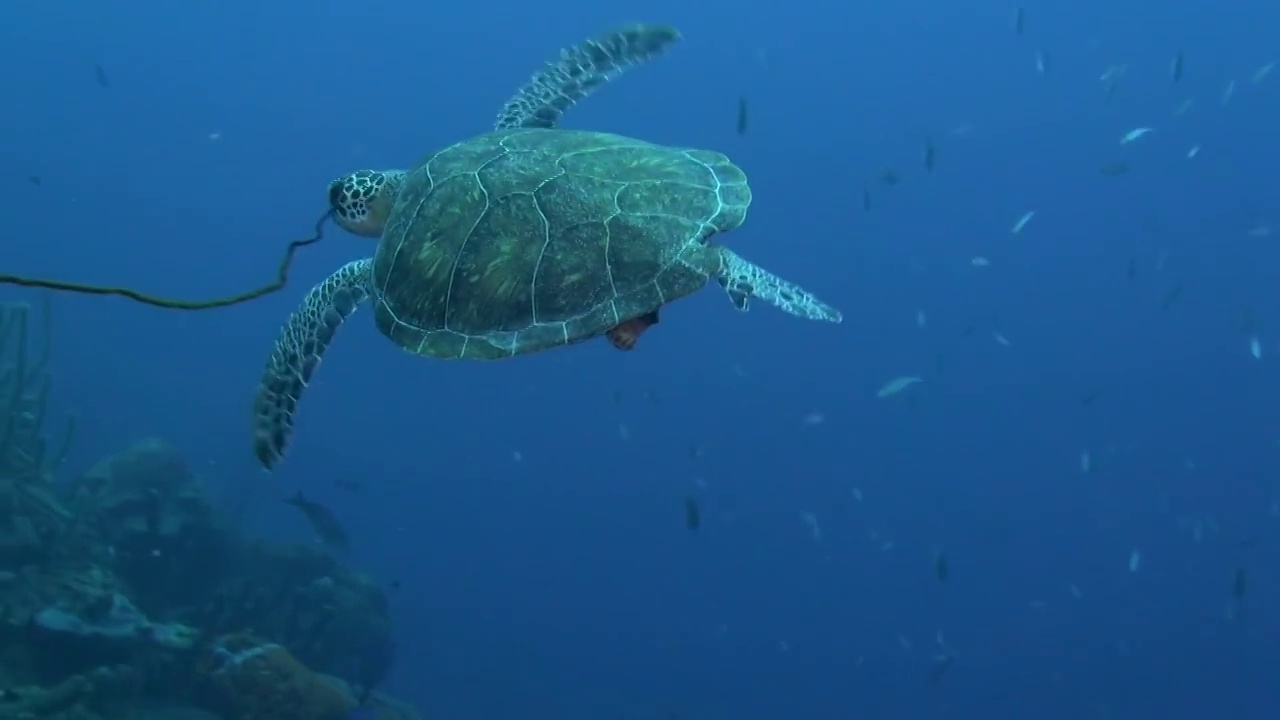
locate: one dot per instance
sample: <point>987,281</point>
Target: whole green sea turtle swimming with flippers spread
<point>528,239</point>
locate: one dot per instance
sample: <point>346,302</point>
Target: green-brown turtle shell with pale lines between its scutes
<point>524,240</point>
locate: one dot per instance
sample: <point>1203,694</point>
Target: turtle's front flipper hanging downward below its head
<point>303,341</point>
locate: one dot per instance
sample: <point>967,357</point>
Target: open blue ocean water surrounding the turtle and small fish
<point>533,511</point>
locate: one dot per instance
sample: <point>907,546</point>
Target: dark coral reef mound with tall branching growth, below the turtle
<point>125,595</point>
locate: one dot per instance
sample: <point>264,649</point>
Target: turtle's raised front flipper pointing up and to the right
<point>580,71</point>
